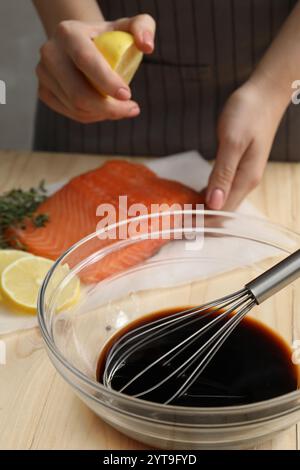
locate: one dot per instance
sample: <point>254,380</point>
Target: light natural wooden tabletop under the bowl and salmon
<point>37,409</point>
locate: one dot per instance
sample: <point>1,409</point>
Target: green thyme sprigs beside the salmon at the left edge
<point>18,205</point>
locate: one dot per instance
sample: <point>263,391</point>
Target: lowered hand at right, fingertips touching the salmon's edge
<point>246,131</point>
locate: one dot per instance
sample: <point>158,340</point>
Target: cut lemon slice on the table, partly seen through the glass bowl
<point>21,282</point>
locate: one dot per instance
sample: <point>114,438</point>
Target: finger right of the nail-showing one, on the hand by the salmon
<point>248,176</point>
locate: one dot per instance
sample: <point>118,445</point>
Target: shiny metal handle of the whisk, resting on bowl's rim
<point>276,278</point>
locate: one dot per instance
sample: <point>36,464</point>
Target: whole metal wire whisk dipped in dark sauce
<point>207,340</point>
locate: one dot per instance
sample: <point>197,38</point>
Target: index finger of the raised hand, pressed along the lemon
<point>91,63</point>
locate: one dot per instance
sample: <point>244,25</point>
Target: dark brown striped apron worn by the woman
<point>204,50</point>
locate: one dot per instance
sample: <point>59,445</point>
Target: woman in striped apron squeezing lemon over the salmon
<point>208,55</point>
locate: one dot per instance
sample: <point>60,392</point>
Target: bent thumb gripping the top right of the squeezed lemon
<point>142,27</point>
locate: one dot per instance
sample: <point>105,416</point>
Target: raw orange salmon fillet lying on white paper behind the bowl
<point>72,214</point>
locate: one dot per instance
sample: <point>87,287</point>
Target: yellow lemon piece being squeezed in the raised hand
<point>121,53</point>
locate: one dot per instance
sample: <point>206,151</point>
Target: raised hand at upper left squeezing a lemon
<point>70,62</point>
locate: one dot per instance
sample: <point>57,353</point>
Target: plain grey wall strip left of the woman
<point>21,36</point>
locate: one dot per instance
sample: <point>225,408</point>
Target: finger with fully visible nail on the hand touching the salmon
<point>229,154</point>
